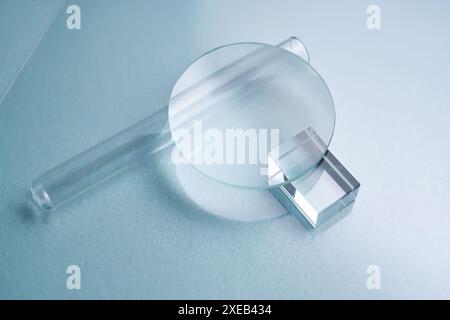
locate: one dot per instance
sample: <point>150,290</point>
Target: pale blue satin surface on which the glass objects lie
<point>140,236</point>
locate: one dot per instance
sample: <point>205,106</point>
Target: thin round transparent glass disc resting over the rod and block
<point>251,115</point>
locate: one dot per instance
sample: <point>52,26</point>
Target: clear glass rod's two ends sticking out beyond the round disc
<point>106,159</point>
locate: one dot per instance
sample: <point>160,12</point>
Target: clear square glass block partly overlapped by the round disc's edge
<point>321,193</point>
